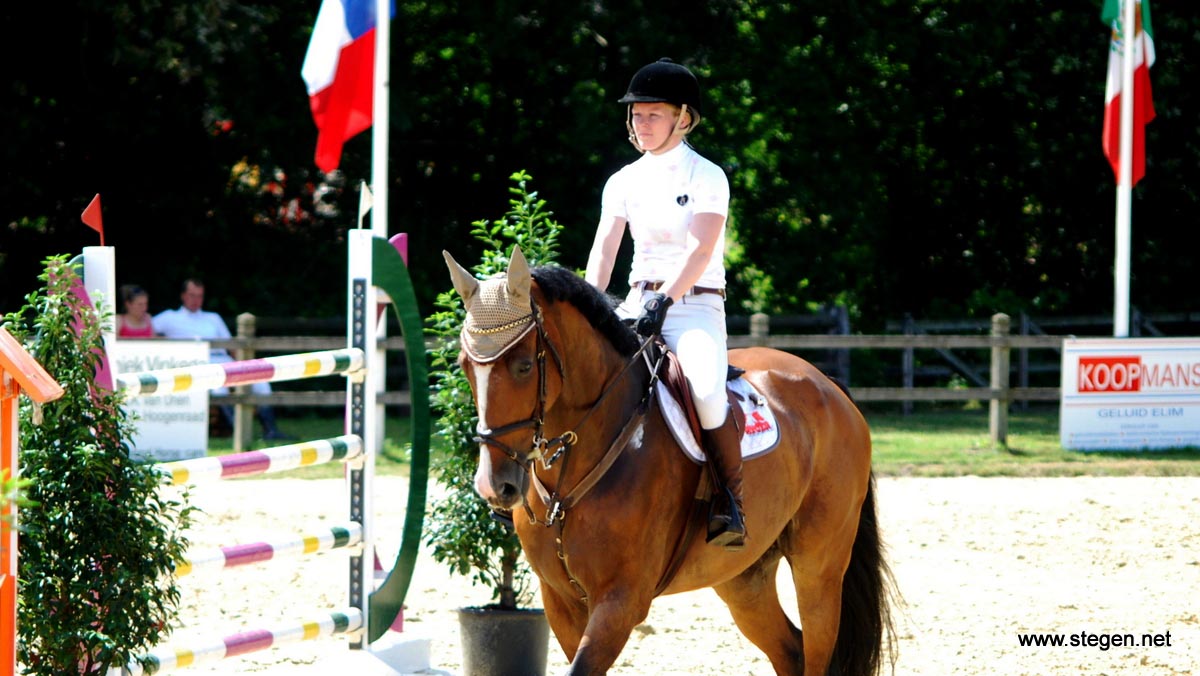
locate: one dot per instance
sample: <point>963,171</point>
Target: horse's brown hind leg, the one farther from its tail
<point>754,603</point>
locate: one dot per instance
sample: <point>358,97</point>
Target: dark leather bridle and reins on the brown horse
<point>553,450</point>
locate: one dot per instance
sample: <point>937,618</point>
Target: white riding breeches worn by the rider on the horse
<point>695,332</point>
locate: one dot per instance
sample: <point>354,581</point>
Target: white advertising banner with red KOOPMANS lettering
<point>1131,394</point>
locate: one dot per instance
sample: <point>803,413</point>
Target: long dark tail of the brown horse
<point>866,633</point>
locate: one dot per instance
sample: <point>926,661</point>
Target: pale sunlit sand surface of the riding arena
<point>979,564</point>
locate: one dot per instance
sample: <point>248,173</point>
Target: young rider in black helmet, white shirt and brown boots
<point>675,204</point>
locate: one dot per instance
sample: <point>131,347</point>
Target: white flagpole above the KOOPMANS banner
<point>1125,181</point>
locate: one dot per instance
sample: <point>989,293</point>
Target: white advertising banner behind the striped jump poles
<point>170,426</point>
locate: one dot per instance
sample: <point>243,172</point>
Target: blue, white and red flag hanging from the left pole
<point>339,71</point>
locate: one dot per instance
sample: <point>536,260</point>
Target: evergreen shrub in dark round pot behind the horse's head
<point>506,637</point>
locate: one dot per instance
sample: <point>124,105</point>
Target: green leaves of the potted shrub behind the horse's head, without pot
<point>459,528</point>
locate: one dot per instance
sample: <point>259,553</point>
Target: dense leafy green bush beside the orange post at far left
<point>99,551</point>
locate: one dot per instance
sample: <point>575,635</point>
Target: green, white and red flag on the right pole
<point>1143,105</point>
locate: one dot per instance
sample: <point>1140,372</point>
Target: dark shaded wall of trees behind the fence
<point>935,158</point>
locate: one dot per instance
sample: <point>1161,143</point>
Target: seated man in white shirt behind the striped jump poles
<point>191,322</point>
